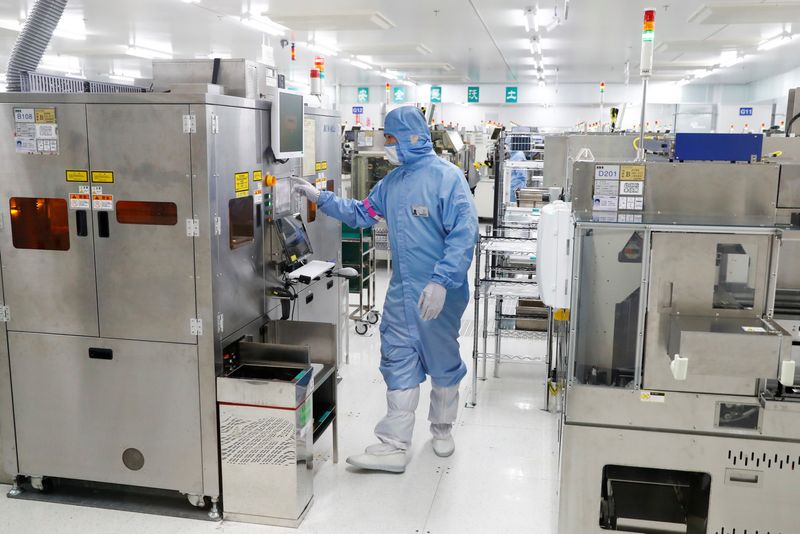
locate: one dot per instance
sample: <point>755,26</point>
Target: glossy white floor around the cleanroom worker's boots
<point>501,479</point>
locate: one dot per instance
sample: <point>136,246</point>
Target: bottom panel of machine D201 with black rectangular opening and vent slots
<point>752,481</point>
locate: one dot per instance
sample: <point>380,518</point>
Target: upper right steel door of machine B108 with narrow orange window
<point>139,256</point>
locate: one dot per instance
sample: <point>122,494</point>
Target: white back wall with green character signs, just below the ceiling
<point>570,106</point>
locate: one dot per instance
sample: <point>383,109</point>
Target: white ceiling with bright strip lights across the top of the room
<point>433,40</point>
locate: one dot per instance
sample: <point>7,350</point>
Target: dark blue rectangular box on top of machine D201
<point>718,147</point>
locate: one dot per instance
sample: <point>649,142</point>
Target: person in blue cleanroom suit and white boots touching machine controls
<point>433,228</point>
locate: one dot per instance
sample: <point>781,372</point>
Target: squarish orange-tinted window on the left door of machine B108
<point>39,223</point>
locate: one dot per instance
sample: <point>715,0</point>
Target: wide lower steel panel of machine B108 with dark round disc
<point>107,410</point>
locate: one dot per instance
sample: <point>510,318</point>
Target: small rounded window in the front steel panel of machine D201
<point>734,287</point>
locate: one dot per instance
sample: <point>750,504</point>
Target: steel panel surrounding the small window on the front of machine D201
<point>691,283</point>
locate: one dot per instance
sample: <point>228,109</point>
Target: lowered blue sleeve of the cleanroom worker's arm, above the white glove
<point>461,224</point>
